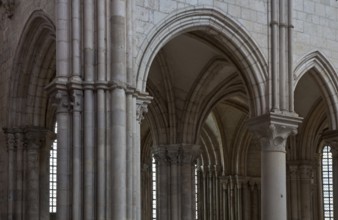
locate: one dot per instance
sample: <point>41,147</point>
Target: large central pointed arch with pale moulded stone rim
<point>233,38</point>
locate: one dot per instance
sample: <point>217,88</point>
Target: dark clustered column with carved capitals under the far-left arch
<point>28,182</point>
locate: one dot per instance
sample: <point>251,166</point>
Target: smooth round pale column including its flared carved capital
<point>272,131</point>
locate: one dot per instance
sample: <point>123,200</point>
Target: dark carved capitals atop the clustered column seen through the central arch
<point>176,154</point>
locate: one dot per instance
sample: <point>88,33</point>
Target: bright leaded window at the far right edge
<point>327,183</point>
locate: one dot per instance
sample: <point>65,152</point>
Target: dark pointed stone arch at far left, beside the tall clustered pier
<point>33,68</point>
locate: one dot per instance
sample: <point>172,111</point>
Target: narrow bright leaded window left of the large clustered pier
<point>52,175</point>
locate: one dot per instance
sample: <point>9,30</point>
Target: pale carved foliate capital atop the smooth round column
<point>273,130</point>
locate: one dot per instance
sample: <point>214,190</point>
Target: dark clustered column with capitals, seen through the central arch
<point>176,185</point>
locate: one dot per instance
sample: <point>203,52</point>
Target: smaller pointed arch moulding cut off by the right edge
<point>325,75</point>
